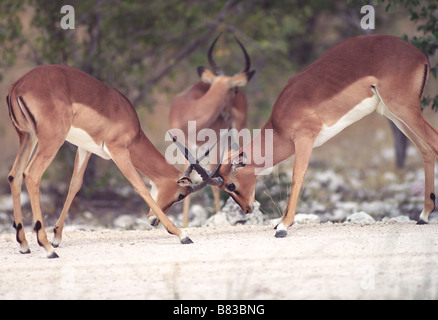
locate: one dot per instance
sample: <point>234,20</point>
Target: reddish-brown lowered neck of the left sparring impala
<point>150,162</point>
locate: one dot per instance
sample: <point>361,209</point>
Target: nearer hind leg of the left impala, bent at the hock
<point>33,173</point>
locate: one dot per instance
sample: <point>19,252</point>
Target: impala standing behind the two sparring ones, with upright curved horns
<point>215,102</point>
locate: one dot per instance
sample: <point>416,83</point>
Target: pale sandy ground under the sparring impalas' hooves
<point>323,261</point>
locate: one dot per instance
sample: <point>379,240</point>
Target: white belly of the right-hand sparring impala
<point>364,108</point>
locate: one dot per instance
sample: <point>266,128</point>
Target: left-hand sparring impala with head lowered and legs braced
<point>53,104</point>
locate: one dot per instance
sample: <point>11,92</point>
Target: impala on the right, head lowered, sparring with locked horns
<point>354,78</point>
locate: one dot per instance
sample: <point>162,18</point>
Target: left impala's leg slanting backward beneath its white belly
<point>81,162</point>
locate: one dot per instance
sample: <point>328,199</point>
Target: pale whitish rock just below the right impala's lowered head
<point>231,215</point>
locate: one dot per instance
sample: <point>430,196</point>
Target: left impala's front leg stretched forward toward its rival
<point>123,160</point>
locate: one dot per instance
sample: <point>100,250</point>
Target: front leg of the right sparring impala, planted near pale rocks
<point>303,151</point>
